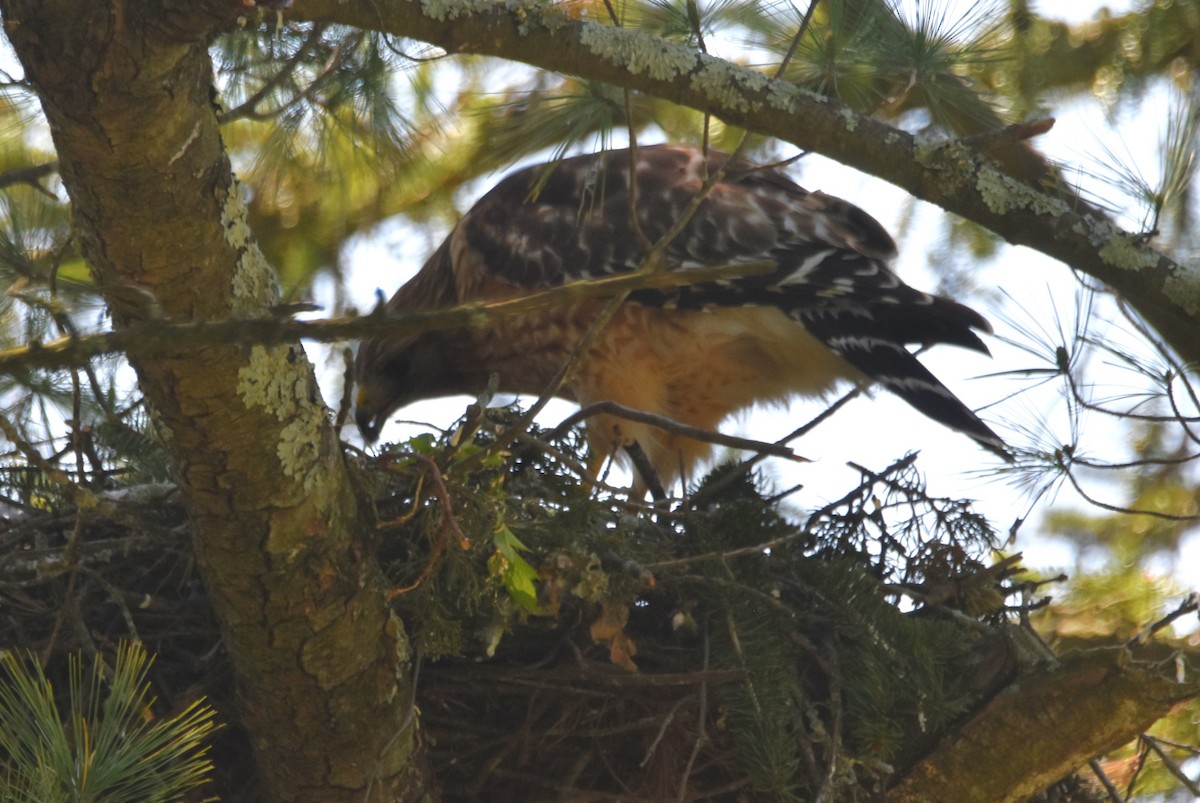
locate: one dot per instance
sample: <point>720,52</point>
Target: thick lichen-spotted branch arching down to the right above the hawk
<point>950,175</point>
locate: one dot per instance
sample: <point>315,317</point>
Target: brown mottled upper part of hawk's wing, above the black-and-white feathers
<point>560,223</point>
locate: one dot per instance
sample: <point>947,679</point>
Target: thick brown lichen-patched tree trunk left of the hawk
<point>321,664</point>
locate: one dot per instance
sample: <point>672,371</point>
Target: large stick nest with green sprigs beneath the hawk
<point>572,644</point>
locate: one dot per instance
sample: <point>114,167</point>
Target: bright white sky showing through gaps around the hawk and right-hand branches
<point>875,432</point>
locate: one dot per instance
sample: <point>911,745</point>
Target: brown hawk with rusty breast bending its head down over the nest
<point>830,310</point>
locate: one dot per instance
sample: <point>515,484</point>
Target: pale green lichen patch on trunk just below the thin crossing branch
<point>280,380</point>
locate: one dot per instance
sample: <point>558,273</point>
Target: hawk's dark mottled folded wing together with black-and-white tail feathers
<point>547,226</point>
